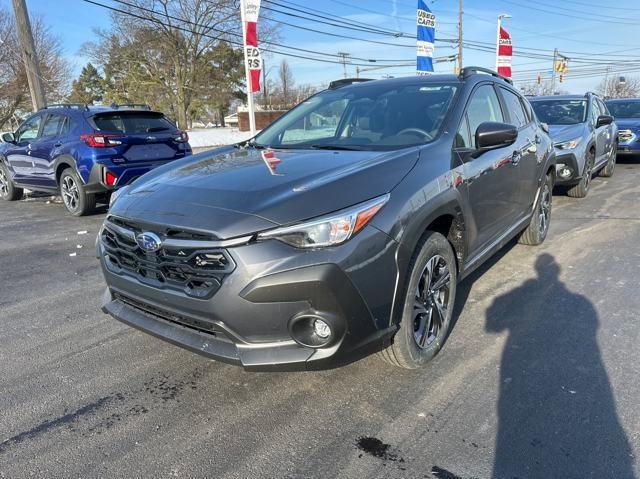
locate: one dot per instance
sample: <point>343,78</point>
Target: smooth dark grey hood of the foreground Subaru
<point>235,191</point>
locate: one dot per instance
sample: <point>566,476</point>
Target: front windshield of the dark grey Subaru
<point>371,117</point>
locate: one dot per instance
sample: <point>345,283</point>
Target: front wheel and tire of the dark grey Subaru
<point>428,304</point>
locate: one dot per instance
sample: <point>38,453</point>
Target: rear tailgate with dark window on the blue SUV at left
<point>144,136</point>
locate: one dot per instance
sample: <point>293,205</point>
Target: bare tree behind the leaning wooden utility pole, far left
<point>54,69</point>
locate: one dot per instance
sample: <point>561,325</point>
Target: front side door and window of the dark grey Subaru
<point>490,179</point>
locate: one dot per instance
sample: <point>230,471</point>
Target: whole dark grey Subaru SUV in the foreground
<point>310,246</point>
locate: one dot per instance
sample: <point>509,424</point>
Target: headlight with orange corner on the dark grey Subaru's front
<point>328,230</point>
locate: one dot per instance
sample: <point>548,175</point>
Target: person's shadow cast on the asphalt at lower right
<point>556,410</point>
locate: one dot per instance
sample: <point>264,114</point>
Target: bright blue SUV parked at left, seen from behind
<point>86,152</point>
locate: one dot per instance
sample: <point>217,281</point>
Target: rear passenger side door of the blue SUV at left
<point>44,149</point>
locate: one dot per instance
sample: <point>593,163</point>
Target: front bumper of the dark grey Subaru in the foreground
<point>248,320</point>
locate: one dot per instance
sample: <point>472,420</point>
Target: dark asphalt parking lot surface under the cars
<point>540,377</point>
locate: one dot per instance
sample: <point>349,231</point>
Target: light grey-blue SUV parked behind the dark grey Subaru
<point>584,137</point>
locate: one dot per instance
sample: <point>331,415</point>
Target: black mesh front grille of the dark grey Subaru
<point>195,269</point>
